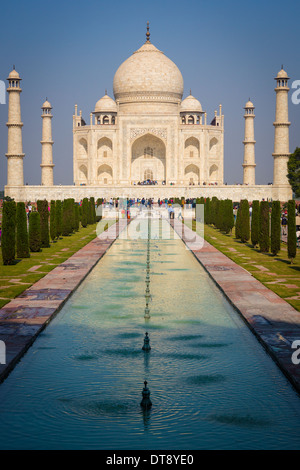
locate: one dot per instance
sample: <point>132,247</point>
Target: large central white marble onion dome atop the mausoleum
<point>150,73</point>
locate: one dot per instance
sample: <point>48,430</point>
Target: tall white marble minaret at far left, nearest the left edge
<point>15,153</point>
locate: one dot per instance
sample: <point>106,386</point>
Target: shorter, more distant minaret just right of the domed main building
<point>249,145</point>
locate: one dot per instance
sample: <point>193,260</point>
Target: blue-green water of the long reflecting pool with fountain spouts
<point>212,384</point>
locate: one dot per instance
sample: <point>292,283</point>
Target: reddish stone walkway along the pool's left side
<point>22,319</point>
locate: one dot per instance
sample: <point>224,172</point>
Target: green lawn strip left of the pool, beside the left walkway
<point>18,277</point>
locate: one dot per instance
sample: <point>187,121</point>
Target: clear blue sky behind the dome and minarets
<point>227,52</point>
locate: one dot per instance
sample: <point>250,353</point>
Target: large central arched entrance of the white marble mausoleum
<point>148,159</point>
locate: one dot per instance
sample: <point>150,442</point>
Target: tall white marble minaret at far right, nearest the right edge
<point>281,141</point>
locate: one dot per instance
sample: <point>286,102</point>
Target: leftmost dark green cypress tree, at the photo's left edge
<point>8,237</point>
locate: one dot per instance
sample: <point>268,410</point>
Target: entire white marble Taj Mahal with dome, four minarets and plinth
<point>148,132</point>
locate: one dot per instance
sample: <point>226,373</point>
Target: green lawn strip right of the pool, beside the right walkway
<point>275,272</point>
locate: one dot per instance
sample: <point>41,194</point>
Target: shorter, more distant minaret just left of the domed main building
<point>47,142</point>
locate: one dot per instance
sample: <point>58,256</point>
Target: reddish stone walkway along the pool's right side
<point>275,322</point>
